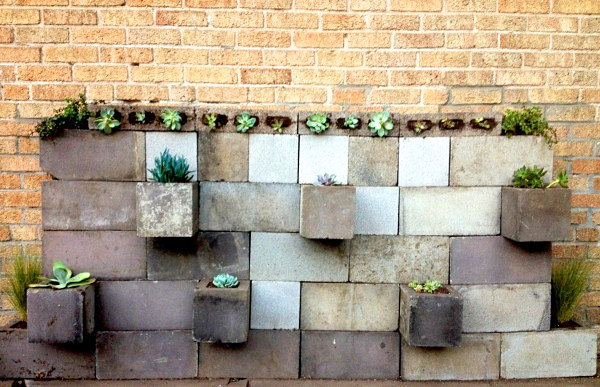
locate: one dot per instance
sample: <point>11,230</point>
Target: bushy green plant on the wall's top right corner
<point>528,121</point>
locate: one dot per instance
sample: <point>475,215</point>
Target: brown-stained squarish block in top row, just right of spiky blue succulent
<point>223,156</point>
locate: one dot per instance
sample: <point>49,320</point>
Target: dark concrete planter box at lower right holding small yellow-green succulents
<point>431,320</point>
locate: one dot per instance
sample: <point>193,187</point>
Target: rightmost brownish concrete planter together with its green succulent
<point>532,212</point>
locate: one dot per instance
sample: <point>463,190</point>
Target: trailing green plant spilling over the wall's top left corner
<point>73,116</point>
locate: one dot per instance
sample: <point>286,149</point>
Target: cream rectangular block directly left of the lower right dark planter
<point>349,307</point>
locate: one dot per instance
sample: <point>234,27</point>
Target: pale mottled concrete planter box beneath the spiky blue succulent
<point>167,209</point>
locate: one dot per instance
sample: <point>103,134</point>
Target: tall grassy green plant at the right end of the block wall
<point>569,281</point>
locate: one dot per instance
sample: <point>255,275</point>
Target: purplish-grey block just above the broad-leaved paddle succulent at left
<point>105,254</point>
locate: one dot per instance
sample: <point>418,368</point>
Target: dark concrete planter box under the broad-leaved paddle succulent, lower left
<point>65,316</point>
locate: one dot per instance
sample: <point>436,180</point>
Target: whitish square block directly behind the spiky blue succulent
<point>178,143</point>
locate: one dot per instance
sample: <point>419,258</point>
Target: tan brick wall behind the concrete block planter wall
<point>404,55</point>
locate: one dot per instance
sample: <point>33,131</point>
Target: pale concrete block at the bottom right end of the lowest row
<point>558,353</point>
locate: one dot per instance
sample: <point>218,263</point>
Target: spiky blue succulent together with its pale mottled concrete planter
<point>168,206</point>
